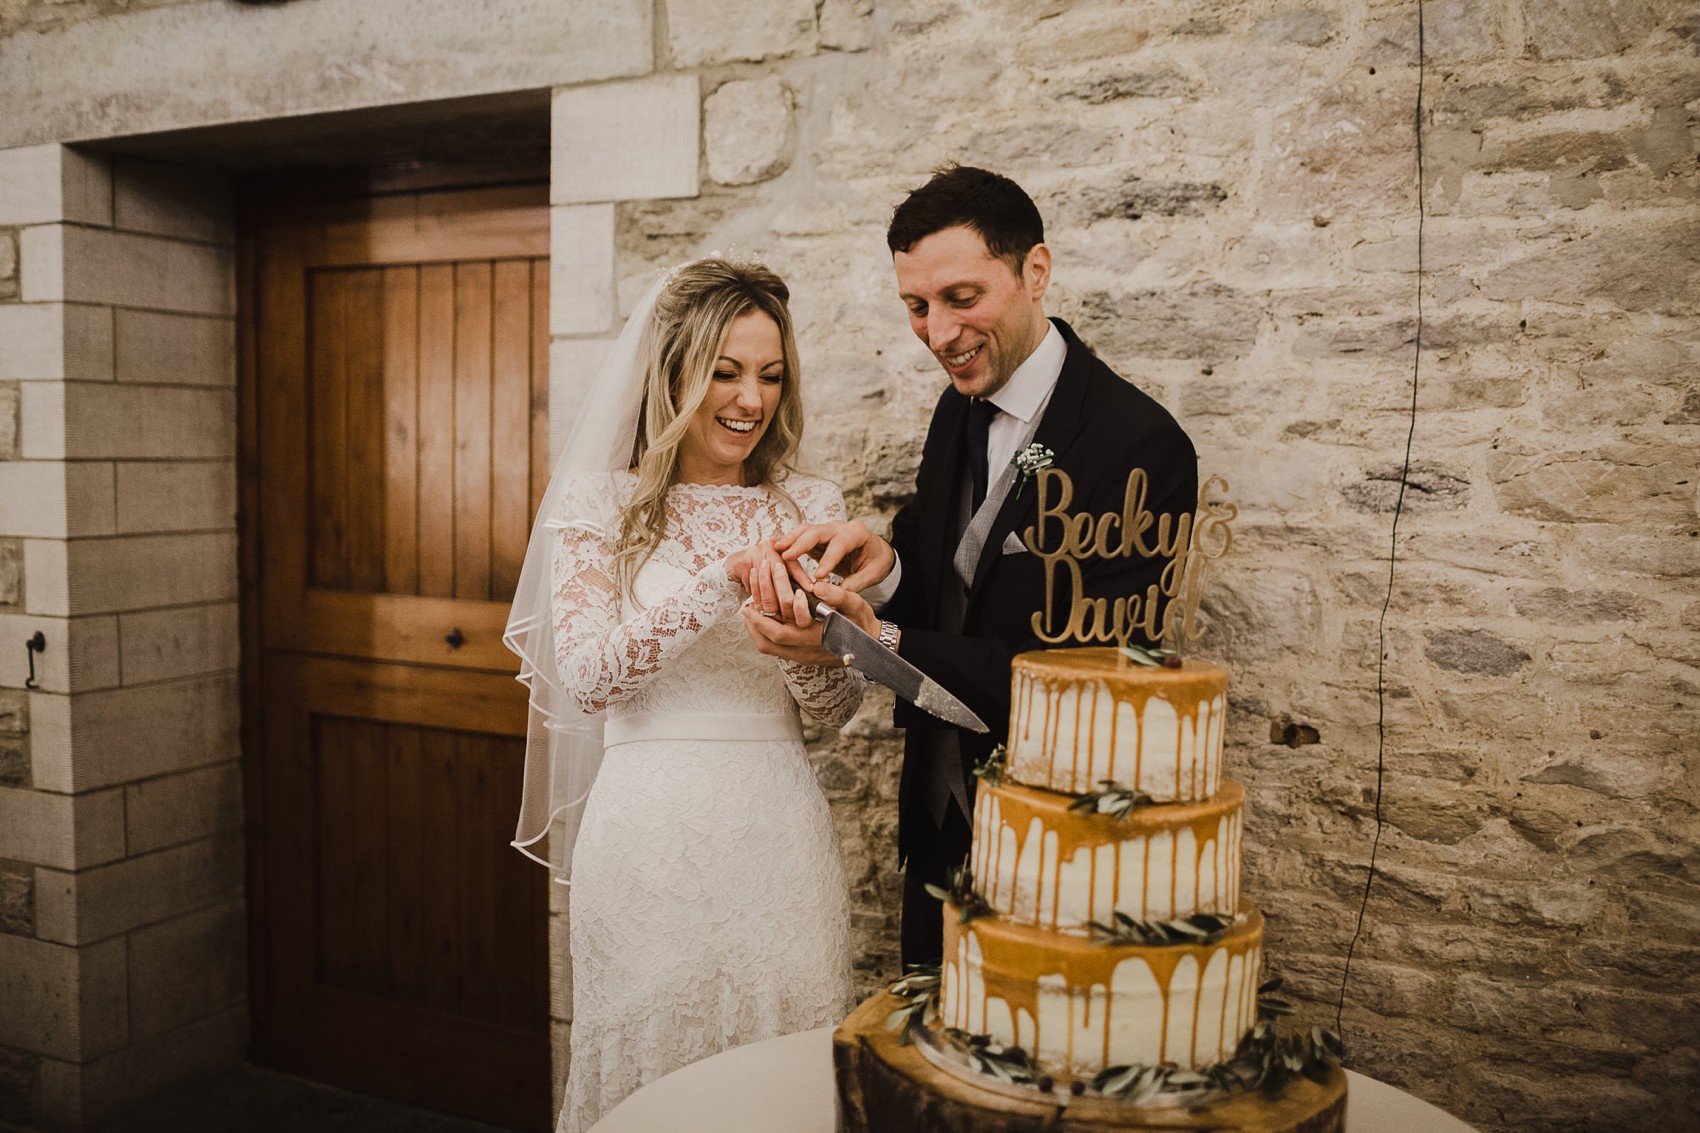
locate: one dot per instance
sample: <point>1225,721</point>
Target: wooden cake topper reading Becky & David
<point>1169,612</point>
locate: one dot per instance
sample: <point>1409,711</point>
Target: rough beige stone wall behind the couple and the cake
<point>1233,202</point>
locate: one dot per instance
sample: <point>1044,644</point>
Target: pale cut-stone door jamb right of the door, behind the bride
<point>613,142</point>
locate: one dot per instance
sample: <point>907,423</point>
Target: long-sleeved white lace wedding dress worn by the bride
<point>708,902</point>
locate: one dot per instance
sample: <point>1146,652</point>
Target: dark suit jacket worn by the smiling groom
<point>1101,428</point>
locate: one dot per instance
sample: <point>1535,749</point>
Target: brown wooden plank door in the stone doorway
<point>395,367</point>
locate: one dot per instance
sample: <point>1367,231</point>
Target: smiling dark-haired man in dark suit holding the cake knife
<point>973,270</point>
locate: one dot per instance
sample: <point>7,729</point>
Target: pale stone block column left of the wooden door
<point>122,867</point>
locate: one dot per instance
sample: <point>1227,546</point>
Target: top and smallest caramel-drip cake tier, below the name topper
<point>1087,715</point>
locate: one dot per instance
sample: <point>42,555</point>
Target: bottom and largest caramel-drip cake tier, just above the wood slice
<point>1080,1006</point>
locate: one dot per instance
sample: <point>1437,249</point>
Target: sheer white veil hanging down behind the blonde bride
<point>564,744</point>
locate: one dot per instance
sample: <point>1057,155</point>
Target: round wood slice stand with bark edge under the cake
<point>887,1088</point>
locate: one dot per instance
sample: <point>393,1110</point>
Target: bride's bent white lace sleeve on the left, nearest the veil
<point>603,659</point>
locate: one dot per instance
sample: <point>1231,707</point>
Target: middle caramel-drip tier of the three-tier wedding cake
<point>1043,865</point>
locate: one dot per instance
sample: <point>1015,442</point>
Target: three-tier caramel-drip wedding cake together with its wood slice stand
<point>1101,969</point>
